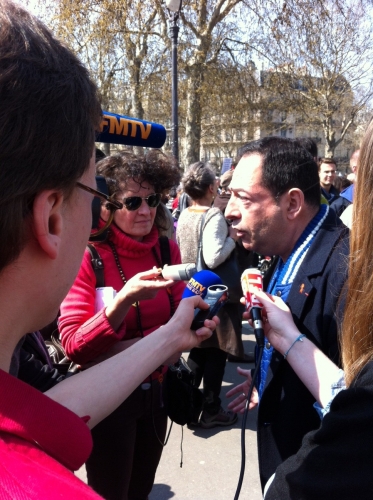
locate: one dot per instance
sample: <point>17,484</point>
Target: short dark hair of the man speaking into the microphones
<point>286,165</point>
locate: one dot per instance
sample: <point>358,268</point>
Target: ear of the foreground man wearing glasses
<point>48,221</point>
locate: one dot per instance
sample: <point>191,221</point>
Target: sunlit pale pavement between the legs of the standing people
<point>211,458</point>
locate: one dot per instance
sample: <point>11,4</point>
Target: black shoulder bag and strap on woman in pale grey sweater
<point>229,270</point>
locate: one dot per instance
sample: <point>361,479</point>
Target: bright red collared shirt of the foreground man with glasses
<point>40,440</point>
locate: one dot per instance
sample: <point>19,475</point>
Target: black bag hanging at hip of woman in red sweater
<point>183,401</point>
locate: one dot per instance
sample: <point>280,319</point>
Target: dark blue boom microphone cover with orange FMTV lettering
<point>121,129</point>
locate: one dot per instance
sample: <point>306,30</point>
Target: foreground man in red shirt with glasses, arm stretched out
<point>50,113</point>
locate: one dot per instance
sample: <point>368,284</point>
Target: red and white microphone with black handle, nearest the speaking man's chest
<point>253,277</point>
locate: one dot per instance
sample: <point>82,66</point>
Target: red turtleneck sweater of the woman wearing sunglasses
<point>85,334</point>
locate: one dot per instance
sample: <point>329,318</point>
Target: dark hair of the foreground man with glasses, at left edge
<point>49,115</point>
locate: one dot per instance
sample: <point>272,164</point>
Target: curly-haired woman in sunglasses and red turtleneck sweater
<point>127,444</point>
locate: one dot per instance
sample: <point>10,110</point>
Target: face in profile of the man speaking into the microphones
<point>260,221</point>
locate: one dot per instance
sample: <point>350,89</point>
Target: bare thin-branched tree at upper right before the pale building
<point>319,60</point>
